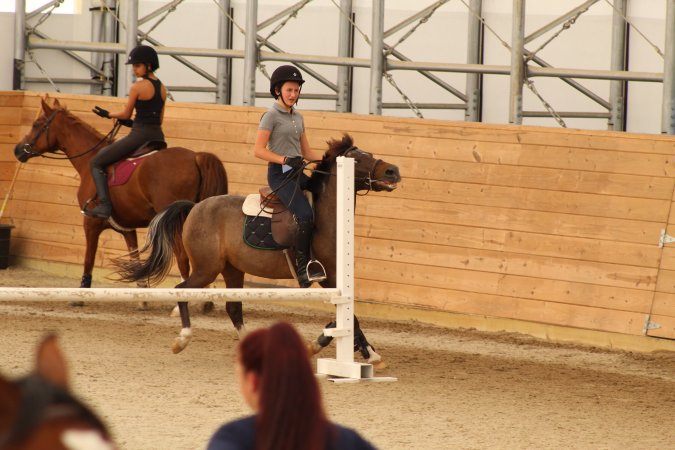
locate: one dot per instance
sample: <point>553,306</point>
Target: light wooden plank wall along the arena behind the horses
<point>545,225</point>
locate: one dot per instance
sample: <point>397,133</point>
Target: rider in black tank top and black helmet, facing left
<point>147,96</point>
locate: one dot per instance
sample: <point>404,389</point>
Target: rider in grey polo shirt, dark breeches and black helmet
<point>281,140</point>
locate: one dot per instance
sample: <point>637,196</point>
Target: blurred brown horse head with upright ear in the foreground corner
<point>39,412</point>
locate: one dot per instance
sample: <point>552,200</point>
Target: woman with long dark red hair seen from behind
<point>278,384</point>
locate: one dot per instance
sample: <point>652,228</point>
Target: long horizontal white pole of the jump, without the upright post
<point>164,294</point>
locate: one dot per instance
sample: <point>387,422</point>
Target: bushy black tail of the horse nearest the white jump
<point>164,235</point>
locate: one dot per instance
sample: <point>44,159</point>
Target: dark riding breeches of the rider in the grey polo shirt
<point>289,190</point>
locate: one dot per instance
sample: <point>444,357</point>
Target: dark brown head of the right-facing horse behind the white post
<point>369,173</point>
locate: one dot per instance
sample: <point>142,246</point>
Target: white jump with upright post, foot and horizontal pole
<point>342,296</point>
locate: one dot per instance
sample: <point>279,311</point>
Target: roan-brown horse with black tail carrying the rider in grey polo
<point>211,233</point>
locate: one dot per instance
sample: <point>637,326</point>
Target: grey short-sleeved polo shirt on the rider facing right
<point>286,129</point>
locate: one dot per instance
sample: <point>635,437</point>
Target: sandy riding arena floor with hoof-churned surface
<point>457,389</point>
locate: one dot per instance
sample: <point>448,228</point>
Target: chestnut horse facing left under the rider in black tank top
<point>163,177</point>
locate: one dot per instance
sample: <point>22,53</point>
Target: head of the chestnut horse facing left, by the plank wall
<point>39,139</point>
